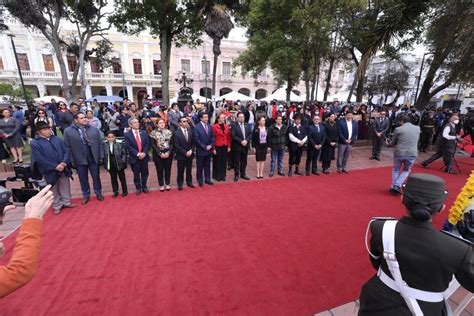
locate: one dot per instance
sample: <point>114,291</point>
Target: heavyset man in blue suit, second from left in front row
<point>84,142</point>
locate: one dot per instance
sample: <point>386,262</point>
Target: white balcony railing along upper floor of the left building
<point>56,75</point>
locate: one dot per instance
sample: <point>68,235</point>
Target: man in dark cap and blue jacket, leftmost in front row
<point>50,160</point>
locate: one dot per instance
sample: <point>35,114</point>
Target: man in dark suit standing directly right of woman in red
<point>241,135</point>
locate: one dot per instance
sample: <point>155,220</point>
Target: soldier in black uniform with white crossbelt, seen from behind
<point>415,262</point>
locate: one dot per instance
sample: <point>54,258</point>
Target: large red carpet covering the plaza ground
<point>280,247</point>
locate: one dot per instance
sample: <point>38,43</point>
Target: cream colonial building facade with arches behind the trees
<point>136,67</point>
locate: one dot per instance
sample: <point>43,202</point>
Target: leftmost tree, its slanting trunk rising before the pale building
<point>45,16</point>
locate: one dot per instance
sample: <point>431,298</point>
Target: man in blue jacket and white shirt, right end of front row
<point>347,137</point>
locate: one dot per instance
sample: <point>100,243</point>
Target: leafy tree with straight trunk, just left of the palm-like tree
<point>172,21</point>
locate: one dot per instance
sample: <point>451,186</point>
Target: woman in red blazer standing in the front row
<point>221,147</point>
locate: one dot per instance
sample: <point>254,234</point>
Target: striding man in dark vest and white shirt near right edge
<point>446,144</point>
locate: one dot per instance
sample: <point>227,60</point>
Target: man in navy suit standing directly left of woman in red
<point>204,139</point>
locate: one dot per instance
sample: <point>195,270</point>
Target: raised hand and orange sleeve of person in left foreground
<point>22,266</point>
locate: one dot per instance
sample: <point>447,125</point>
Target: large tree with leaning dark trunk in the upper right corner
<point>450,41</point>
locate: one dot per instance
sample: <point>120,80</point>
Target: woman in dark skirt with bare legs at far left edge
<point>10,132</point>
